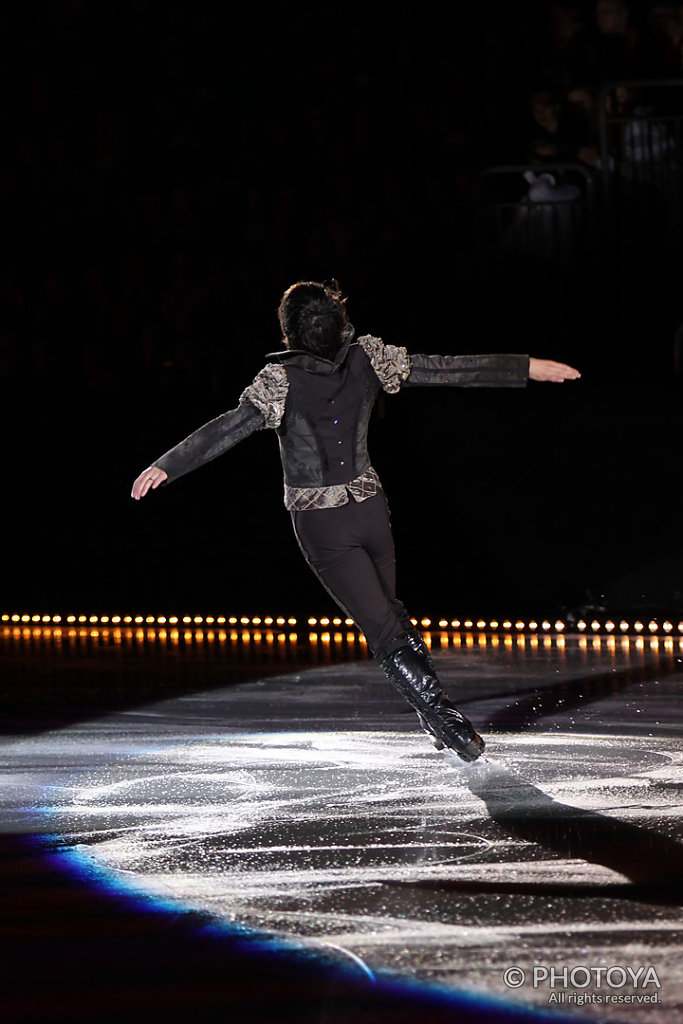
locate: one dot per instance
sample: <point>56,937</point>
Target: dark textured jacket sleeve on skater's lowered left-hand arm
<point>211,441</point>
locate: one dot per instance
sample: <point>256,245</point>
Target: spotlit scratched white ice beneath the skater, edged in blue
<point>324,817</point>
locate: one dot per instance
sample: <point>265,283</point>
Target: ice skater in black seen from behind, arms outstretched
<point>318,395</point>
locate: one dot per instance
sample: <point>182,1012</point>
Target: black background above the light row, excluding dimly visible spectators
<point>170,168</point>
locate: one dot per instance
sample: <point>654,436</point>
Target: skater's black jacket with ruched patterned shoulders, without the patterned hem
<point>321,409</point>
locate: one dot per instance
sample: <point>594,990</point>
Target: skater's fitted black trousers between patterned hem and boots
<point>351,550</point>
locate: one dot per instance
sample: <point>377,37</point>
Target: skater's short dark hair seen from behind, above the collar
<point>314,318</point>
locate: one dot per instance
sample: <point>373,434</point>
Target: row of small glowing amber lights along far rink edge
<point>318,624</point>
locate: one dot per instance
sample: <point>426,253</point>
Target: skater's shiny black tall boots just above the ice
<point>411,671</point>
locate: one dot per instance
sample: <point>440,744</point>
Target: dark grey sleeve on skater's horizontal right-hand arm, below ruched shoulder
<point>469,371</point>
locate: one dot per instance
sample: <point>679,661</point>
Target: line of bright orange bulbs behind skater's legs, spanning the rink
<point>247,622</point>
